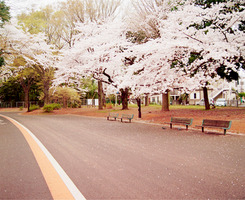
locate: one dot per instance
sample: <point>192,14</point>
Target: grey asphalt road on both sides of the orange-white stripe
<point>114,160</point>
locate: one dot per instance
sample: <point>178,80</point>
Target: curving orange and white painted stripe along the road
<point>57,182</point>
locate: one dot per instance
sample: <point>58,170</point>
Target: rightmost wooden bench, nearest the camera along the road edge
<point>209,123</point>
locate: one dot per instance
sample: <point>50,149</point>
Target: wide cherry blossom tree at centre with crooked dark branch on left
<point>110,57</point>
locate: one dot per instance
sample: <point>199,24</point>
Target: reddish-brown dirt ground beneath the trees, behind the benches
<point>155,115</point>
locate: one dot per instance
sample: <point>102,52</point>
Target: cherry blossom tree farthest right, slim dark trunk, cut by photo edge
<point>218,42</point>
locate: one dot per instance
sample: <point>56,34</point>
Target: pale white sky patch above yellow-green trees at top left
<point>19,6</point>
